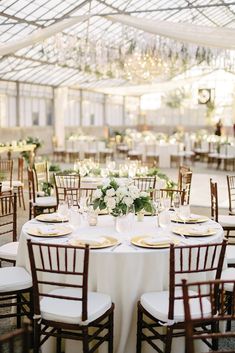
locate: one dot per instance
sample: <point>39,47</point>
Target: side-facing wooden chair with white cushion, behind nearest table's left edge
<point>38,205</point>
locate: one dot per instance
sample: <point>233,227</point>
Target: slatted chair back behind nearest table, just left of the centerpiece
<point>67,187</point>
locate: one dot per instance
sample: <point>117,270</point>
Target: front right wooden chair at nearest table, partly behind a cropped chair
<point>165,308</point>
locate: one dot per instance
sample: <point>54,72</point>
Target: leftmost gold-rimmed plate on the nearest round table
<point>52,232</point>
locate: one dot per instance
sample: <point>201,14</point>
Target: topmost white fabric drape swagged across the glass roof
<point>223,38</point>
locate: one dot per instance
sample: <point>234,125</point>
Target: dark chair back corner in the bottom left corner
<point>16,341</point>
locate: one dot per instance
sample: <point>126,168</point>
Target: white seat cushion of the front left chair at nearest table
<point>70,311</point>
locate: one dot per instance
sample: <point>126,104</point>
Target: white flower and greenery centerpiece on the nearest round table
<point>117,197</point>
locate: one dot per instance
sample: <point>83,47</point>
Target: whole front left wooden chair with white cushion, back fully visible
<point>67,309</point>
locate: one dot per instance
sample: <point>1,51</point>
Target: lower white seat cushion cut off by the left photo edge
<point>14,278</point>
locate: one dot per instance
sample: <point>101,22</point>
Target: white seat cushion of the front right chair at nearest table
<point>157,304</point>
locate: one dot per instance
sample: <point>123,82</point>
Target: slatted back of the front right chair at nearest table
<point>189,261</point>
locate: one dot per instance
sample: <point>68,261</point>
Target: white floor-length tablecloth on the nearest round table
<point>124,272</point>
